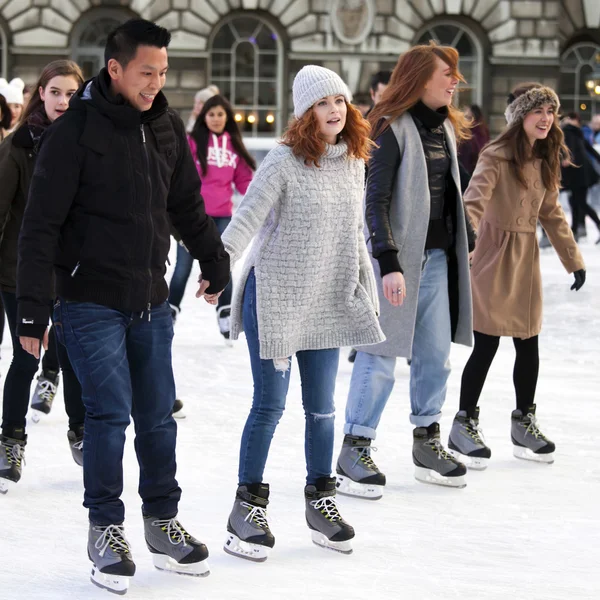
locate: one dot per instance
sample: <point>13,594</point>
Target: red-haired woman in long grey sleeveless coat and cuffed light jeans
<point>420,242</point>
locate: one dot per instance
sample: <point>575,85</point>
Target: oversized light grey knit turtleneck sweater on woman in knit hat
<point>315,285</point>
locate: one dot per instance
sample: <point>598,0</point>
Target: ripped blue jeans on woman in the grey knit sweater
<point>318,370</point>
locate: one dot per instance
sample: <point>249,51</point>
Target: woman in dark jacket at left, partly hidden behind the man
<point>58,82</point>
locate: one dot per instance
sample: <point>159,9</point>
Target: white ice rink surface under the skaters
<point>518,530</point>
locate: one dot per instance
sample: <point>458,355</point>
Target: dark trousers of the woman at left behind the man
<point>17,385</point>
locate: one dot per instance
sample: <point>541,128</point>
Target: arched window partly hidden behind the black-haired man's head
<point>89,38</point>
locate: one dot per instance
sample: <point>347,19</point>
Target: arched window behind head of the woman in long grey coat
<point>451,33</point>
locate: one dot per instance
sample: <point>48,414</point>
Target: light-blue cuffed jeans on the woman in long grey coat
<point>373,376</point>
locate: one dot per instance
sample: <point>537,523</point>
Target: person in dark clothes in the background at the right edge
<point>579,175</point>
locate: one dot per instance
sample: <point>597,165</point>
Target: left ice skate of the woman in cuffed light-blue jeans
<point>357,474</point>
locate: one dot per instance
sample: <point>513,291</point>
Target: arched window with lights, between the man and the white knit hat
<point>246,64</point>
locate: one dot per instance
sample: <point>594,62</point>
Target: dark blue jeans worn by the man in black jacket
<point>123,361</point>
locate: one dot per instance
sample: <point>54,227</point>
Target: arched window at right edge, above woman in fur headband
<point>576,65</point>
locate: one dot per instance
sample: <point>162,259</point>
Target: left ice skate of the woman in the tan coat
<point>466,441</point>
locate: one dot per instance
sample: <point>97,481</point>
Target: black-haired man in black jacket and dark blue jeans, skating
<point>112,174</point>
